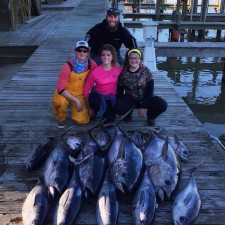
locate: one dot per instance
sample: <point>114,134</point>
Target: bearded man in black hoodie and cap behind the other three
<point>109,31</point>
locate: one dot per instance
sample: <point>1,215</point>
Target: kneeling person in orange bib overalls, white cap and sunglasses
<point>69,91</point>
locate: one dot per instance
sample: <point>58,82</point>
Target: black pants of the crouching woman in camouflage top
<point>155,105</point>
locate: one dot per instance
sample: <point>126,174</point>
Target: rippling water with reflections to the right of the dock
<point>197,81</point>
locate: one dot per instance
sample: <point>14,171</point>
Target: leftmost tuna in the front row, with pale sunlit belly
<point>35,206</point>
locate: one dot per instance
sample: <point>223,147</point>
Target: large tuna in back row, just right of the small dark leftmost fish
<point>56,172</point>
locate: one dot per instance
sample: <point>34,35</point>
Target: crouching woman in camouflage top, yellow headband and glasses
<point>136,89</point>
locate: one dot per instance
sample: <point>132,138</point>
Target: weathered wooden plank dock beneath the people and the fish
<point>26,120</point>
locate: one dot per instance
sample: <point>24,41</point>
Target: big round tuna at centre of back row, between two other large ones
<point>127,161</point>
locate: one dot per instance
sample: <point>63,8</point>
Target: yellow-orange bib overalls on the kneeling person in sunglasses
<point>75,87</point>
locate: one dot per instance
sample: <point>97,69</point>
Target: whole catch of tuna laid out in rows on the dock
<point>80,164</point>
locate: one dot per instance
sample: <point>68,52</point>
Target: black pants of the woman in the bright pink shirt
<point>95,103</point>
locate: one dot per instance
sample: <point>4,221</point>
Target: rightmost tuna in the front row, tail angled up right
<point>187,203</point>
